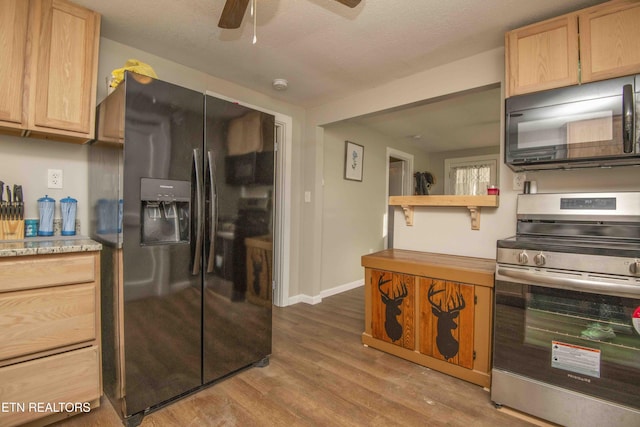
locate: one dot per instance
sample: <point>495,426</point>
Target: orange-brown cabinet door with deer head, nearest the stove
<point>447,321</point>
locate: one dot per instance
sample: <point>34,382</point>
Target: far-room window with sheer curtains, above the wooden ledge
<point>470,175</point>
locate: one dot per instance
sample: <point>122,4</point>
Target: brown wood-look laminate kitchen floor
<point>320,374</point>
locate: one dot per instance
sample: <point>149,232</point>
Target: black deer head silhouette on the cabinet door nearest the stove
<point>447,344</point>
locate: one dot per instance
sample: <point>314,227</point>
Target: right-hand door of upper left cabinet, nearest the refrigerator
<point>64,68</point>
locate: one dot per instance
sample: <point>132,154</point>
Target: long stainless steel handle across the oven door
<point>570,283</point>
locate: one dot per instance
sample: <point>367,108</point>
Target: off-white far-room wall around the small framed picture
<point>353,212</point>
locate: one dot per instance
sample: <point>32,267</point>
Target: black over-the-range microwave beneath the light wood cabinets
<point>588,125</point>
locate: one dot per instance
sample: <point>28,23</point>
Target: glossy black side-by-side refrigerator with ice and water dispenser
<point>178,183</point>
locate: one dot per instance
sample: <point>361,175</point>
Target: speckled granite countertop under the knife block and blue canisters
<point>48,245</point>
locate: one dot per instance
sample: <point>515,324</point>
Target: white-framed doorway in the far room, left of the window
<point>399,183</point>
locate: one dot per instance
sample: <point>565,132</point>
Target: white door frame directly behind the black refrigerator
<point>282,186</point>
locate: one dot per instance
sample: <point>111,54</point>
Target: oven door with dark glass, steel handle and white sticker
<point>569,330</point>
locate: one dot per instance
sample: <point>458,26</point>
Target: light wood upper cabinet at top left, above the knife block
<point>48,89</point>
